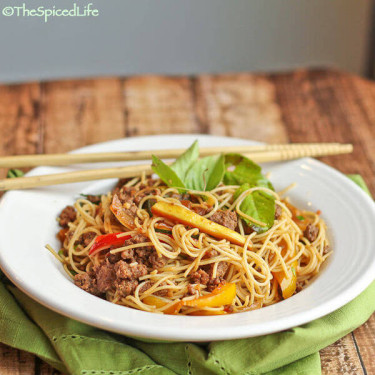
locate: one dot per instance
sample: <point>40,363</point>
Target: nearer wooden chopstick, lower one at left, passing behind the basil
<point>136,170</point>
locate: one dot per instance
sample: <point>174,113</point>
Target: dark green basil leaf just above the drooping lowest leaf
<point>245,172</point>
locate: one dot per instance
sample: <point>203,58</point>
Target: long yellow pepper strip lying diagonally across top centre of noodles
<point>185,216</point>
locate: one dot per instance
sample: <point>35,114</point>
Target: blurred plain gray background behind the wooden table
<point>185,37</point>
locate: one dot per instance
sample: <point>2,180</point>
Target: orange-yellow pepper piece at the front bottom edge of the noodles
<point>221,296</point>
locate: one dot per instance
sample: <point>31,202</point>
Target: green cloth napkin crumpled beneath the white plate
<point>76,348</point>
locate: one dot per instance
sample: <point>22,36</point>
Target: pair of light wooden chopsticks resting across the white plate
<point>259,154</point>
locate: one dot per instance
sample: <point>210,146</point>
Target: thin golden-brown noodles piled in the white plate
<point>186,250</point>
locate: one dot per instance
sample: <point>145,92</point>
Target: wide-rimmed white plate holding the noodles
<point>28,222</point>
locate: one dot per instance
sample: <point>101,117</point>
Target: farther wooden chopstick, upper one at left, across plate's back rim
<point>19,161</point>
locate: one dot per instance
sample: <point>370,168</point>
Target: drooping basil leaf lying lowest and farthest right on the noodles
<point>259,205</point>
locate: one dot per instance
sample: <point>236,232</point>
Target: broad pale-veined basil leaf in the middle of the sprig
<point>206,173</point>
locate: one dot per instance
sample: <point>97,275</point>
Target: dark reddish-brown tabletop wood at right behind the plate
<point>322,106</point>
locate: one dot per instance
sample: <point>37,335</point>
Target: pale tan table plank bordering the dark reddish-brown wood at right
<point>241,105</point>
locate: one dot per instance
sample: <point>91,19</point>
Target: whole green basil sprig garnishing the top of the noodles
<point>190,172</point>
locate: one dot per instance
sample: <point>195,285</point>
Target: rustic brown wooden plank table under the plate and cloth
<point>303,106</point>
